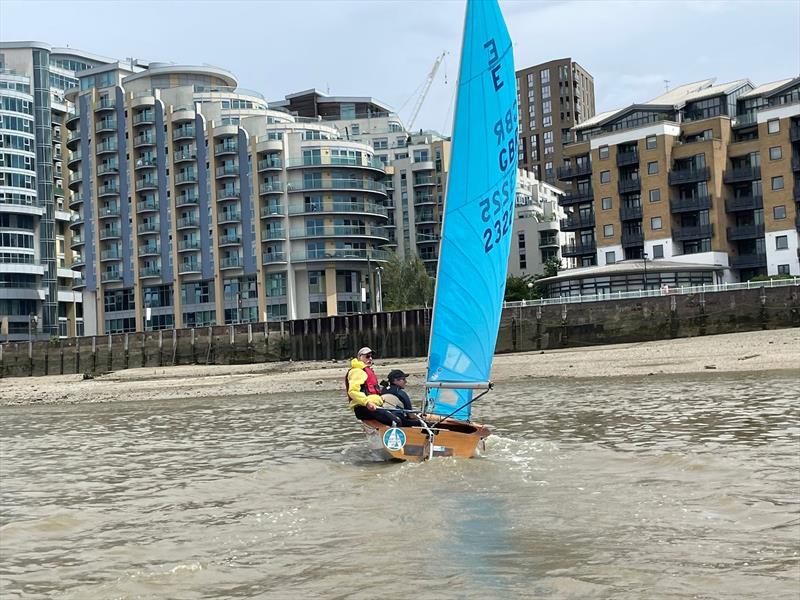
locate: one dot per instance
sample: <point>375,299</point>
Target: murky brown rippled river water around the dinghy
<point>646,488</point>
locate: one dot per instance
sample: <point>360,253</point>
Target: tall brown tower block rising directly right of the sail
<point>553,97</point>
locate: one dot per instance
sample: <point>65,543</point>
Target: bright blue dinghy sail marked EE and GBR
<point>478,214</point>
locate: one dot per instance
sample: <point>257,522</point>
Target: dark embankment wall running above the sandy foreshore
<point>405,333</point>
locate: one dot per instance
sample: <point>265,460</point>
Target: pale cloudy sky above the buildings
<point>385,49</point>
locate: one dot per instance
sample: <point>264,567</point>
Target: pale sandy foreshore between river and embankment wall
<point>757,351</point>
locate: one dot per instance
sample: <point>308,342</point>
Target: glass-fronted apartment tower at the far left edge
<point>37,298</point>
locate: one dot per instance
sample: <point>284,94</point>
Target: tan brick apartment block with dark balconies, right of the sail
<point>705,173</point>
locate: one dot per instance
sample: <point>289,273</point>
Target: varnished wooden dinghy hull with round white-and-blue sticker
<point>451,438</point>
